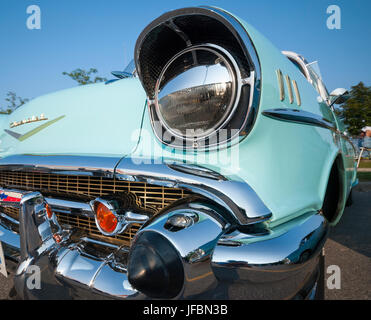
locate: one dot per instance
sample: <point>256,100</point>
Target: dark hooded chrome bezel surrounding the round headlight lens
<point>180,29</point>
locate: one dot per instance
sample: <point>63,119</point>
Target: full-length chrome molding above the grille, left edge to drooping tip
<point>237,197</point>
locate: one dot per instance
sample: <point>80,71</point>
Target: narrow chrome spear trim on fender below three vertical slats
<point>299,116</point>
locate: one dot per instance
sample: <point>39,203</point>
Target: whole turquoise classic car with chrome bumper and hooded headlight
<point>212,170</point>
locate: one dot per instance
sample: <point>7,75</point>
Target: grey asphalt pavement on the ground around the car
<point>348,247</point>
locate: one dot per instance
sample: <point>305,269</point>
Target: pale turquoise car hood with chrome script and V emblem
<point>97,119</point>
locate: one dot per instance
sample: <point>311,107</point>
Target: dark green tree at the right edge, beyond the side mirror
<point>356,111</point>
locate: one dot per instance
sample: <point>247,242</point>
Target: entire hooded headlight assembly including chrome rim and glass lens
<point>201,74</point>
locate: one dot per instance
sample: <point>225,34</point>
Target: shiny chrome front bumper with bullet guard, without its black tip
<point>218,264</point>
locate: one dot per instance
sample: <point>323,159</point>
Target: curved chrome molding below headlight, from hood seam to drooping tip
<point>237,197</point>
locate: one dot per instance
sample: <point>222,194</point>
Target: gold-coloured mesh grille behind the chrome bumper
<point>150,197</point>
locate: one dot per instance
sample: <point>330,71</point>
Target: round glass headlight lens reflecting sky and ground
<point>196,92</point>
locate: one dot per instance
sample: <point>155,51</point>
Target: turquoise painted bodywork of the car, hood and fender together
<point>288,164</point>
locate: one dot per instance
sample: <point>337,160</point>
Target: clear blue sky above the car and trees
<point>102,34</point>
